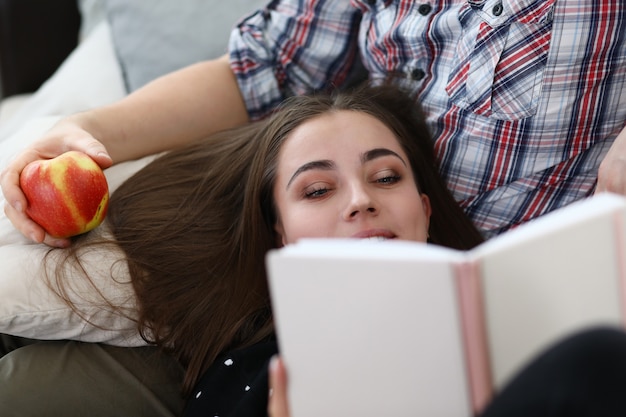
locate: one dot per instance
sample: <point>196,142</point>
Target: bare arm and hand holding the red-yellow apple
<point>170,111</point>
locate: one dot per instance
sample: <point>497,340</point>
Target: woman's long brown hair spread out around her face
<point>196,223</point>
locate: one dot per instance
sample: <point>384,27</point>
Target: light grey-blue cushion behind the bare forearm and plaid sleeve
<point>154,37</point>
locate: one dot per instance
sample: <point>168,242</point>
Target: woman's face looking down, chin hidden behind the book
<point>344,174</point>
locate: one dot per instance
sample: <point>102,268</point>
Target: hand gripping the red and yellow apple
<point>62,137</point>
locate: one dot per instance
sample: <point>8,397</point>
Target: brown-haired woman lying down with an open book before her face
<point>195,224</point>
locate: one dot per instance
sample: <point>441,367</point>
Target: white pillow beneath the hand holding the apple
<point>29,308</point>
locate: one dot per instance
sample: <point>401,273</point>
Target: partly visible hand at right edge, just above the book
<point>612,171</point>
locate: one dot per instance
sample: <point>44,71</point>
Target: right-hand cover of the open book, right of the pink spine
<point>557,275</point>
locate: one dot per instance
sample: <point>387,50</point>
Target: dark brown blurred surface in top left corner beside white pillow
<point>35,37</point>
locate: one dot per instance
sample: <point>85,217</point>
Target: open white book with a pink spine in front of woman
<point>397,329</point>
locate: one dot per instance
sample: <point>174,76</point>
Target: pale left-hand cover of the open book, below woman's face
<point>363,334</point>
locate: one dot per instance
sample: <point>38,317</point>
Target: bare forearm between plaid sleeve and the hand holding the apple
<point>182,106</point>
